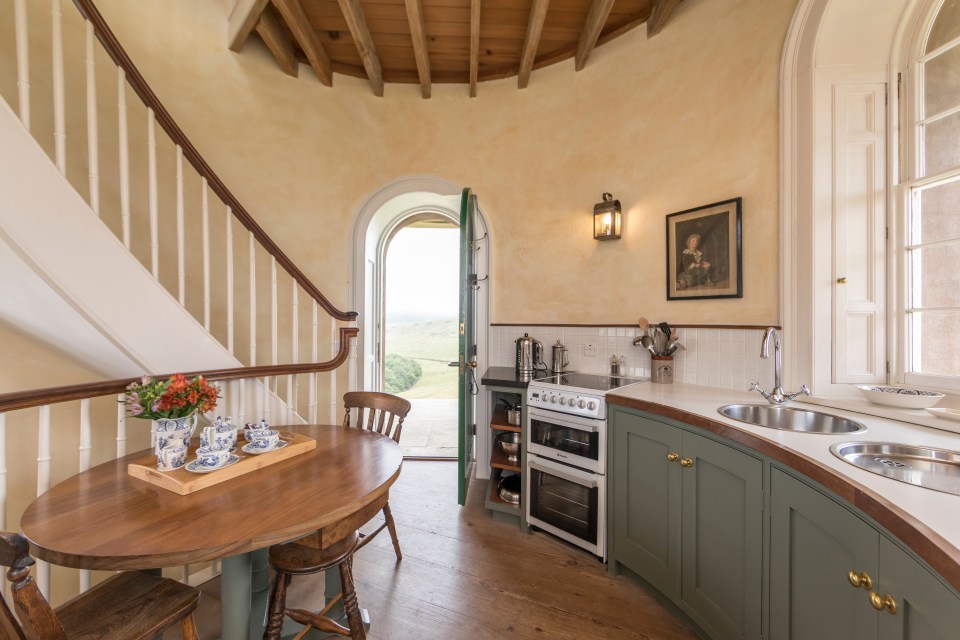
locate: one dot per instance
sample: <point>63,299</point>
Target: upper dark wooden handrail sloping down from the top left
<point>121,59</point>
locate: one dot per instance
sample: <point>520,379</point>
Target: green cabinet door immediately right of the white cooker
<point>646,512</point>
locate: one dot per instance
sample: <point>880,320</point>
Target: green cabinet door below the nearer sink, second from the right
<point>814,542</point>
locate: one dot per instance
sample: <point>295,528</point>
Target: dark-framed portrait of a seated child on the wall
<point>704,252</point>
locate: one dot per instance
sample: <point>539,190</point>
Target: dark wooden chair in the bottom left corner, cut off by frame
<point>126,606</point>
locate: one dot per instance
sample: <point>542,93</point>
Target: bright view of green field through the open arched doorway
<point>420,336</point>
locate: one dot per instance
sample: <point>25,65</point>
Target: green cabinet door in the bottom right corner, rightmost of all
<point>926,608</point>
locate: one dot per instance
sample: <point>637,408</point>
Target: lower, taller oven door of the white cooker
<point>567,502</point>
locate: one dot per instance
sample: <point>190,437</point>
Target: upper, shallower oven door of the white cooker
<point>566,438</point>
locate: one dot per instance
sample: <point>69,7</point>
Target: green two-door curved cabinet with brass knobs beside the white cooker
<point>687,516</point>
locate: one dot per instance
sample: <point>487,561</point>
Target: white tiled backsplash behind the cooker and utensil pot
<point>724,358</point>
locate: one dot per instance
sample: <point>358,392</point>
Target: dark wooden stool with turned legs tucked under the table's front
<point>292,559</point>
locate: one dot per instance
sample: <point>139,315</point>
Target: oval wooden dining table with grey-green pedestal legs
<point>105,518</point>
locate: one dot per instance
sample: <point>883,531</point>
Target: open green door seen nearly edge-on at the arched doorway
<point>468,343</point>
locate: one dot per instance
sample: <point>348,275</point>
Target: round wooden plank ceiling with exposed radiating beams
<point>437,41</point>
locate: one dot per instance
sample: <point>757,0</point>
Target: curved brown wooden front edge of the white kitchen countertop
<point>936,551</point>
